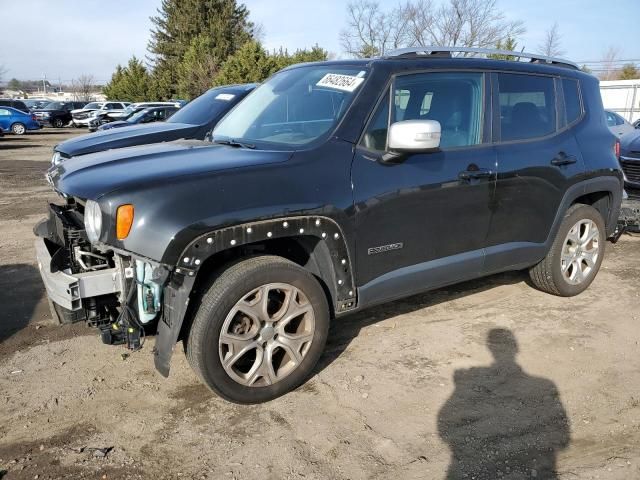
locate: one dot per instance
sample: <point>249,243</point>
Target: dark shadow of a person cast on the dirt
<point>501,423</point>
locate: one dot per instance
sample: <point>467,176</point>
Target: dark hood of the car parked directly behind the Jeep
<point>126,137</point>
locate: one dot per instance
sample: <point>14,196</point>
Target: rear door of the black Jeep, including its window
<point>538,159</point>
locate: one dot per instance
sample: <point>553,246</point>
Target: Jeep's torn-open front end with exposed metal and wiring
<point>113,291</point>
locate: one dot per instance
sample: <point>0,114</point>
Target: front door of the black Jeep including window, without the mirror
<point>423,222</point>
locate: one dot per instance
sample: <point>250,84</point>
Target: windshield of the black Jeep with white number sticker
<point>295,107</point>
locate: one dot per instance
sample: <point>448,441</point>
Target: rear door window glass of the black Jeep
<point>527,106</point>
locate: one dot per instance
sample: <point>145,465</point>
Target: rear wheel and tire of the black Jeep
<point>573,260</point>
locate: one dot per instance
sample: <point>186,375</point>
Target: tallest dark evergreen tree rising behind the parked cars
<point>225,23</point>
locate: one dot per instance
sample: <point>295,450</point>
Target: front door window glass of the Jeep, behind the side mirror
<point>453,99</point>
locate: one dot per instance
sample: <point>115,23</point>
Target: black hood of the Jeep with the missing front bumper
<point>92,176</point>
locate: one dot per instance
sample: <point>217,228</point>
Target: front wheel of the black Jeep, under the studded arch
<point>247,378</point>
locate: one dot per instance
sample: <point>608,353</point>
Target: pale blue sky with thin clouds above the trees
<point>64,39</point>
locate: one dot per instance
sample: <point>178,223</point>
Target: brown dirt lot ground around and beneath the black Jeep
<point>399,389</point>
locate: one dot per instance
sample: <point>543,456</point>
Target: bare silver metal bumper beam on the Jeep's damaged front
<point>68,290</point>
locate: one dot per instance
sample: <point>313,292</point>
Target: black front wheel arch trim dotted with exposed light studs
<point>176,293</point>
